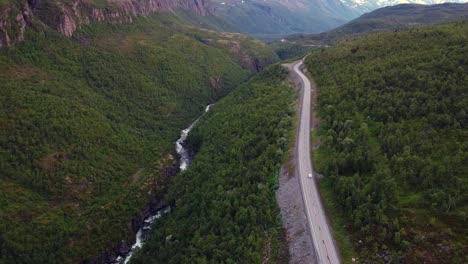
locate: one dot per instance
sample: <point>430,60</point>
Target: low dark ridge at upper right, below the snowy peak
<point>388,18</point>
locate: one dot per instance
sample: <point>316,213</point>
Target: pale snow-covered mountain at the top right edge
<point>364,6</point>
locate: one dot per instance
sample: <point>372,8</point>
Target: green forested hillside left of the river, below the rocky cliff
<point>88,125</point>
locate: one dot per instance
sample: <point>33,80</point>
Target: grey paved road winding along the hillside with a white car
<point>318,225</point>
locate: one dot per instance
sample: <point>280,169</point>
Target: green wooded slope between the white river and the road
<point>225,202</point>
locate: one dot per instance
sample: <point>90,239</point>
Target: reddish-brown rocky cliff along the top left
<point>67,16</point>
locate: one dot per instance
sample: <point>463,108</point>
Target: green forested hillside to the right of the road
<point>393,142</point>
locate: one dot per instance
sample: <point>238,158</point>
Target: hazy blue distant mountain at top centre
<point>276,18</point>
